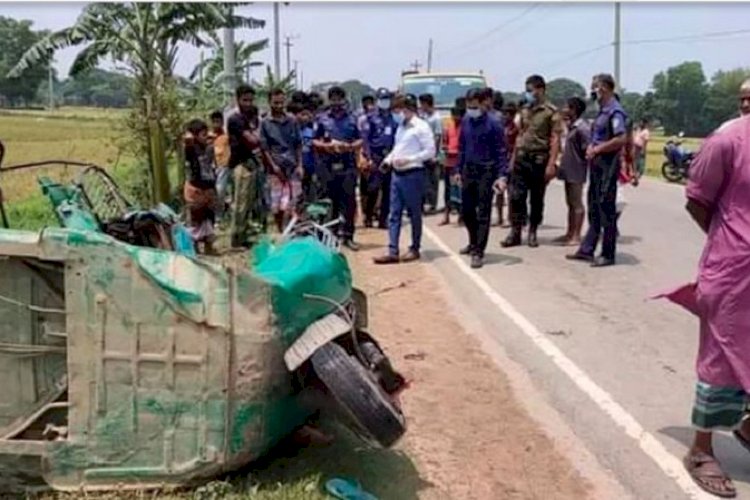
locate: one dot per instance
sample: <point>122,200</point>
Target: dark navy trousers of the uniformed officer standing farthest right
<point>602,197</point>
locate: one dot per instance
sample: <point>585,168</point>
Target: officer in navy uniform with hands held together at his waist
<point>337,140</point>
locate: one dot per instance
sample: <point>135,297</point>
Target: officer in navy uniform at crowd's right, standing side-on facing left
<point>608,138</point>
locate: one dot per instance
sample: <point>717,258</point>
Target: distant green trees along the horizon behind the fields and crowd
<point>680,99</point>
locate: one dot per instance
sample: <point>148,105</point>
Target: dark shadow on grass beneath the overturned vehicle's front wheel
<point>384,473</point>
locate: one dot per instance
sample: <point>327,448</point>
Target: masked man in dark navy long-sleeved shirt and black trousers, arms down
<point>482,167</point>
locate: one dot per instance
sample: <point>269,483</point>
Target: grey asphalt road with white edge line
<point>618,367</point>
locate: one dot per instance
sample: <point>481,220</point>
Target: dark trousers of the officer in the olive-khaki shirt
<point>527,188</point>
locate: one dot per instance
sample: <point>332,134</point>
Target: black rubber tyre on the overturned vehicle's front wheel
<point>374,416</point>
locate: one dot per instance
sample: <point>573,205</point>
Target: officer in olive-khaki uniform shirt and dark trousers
<point>534,162</point>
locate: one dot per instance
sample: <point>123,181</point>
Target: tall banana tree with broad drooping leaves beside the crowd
<point>144,39</point>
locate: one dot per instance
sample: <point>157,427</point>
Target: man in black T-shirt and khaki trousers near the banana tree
<point>244,161</point>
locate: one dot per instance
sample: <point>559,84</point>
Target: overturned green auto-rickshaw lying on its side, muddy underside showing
<point>127,362</point>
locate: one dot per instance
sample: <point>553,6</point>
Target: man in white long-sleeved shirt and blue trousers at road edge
<point>414,146</point>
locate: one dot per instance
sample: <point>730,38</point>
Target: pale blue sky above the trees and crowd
<point>375,41</point>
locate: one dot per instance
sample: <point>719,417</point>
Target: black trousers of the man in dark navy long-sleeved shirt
<point>476,204</point>
